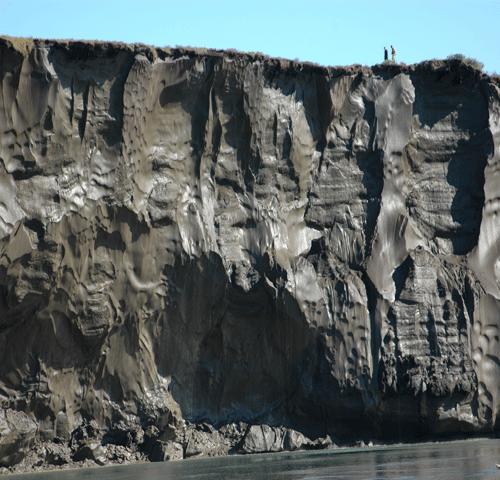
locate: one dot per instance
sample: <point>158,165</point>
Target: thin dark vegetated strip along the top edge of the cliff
<point>87,48</point>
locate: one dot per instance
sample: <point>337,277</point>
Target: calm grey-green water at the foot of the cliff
<point>460,460</point>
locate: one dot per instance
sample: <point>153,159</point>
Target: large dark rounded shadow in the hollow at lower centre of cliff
<point>233,354</point>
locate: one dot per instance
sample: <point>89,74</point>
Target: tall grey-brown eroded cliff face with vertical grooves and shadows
<point>204,238</point>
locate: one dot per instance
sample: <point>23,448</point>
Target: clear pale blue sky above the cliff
<point>328,32</point>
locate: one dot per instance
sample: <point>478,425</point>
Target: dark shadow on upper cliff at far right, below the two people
<point>445,98</point>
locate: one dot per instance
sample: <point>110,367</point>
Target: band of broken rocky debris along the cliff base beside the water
<point>199,440</point>
